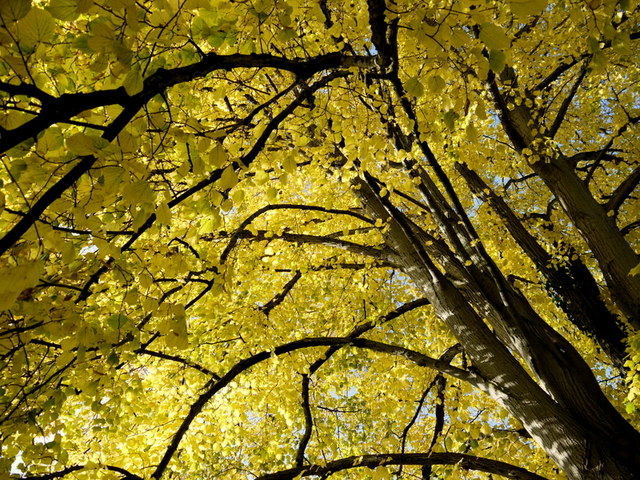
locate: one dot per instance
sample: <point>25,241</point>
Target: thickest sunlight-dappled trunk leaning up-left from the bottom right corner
<point>565,411</point>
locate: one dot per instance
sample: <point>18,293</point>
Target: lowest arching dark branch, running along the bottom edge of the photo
<point>467,462</point>
